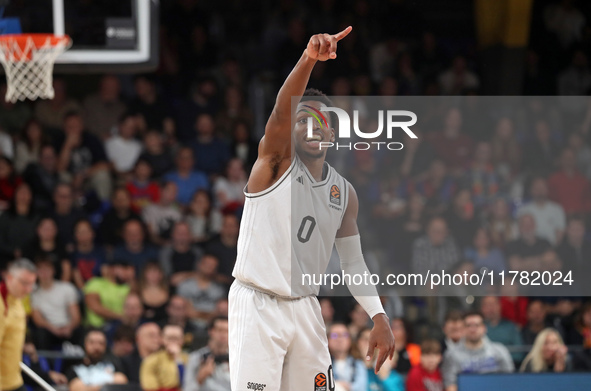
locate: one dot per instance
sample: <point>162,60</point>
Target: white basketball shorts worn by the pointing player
<point>277,344</point>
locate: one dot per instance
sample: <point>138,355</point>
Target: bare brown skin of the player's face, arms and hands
<point>280,144</point>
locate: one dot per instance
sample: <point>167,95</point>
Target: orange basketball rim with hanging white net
<point>28,61</point>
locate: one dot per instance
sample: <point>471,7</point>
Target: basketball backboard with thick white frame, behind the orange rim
<point>108,35</point>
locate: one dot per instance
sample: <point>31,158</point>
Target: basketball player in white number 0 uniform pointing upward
<point>277,336</point>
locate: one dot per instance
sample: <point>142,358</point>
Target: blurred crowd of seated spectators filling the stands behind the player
<point>128,199</point>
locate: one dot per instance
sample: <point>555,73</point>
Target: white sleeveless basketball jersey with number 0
<point>288,231</point>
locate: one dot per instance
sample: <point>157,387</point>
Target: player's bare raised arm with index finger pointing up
<point>275,147</point>
